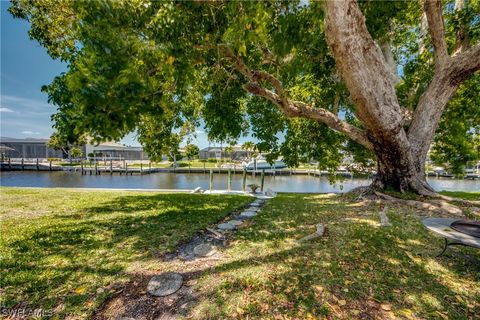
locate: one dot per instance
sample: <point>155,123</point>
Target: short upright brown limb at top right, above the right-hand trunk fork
<point>433,11</point>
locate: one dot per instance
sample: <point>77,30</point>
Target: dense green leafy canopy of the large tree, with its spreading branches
<point>265,67</point>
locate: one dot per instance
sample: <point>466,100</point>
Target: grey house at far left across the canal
<point>28,148</point>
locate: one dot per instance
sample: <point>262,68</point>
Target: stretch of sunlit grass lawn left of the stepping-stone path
<point>62,249</point>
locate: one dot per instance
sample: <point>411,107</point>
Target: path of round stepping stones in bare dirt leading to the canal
<point>170,295</point>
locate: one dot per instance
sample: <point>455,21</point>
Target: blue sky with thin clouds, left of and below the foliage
<point>25,67</point>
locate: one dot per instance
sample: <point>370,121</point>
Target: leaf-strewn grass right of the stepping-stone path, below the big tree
<point>358,270</point>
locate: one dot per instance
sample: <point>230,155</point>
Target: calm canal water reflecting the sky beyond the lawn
<point>295,183</point>
